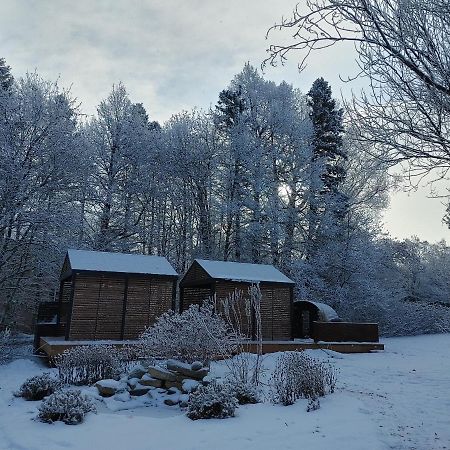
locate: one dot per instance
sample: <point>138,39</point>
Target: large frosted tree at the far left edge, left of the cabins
<point>38,165</point>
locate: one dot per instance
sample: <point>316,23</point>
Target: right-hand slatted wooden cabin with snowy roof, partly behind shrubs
<point>206,278</point>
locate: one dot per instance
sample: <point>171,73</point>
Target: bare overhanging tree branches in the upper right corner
<point>402,49</point>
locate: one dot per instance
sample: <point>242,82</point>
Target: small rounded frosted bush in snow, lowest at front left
<point>68,406</point>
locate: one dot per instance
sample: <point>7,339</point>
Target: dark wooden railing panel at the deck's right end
<point>345,332</point>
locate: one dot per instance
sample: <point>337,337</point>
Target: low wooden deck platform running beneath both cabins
<point>52,346</point>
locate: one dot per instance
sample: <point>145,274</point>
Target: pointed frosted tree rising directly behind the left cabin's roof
<point>120,137</point>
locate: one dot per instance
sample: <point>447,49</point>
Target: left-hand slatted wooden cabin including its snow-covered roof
<point>110,296</point>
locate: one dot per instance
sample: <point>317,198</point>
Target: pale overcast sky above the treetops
<point>173,55</point>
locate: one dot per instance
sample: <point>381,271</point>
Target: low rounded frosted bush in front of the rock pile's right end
<point>214,401</point>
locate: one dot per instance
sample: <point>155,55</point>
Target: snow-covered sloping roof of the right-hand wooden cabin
<point>226,270</point>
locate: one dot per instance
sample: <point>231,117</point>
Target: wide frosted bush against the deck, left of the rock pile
<point>88,364</point>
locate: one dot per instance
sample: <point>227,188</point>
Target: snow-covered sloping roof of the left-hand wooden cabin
<point>119,262</point>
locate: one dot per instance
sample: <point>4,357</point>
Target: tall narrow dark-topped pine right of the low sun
<point>328,205</point>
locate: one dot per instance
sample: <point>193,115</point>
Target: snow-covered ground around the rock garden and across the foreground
<point>396,399</point>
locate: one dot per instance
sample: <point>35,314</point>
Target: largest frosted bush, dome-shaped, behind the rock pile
<point>197,334</point>
